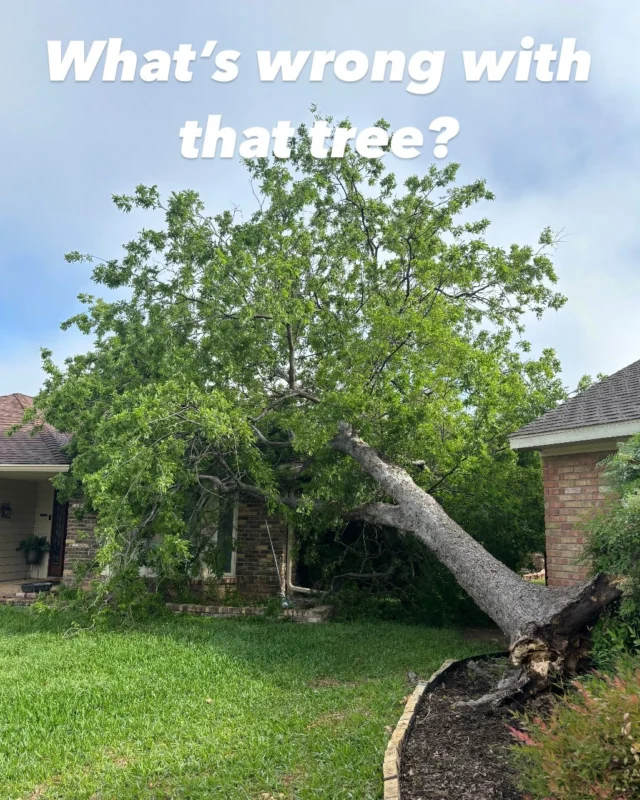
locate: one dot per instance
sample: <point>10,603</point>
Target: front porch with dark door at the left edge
<point>30,509</point>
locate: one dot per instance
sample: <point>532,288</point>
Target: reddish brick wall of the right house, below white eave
<point>572,490</point>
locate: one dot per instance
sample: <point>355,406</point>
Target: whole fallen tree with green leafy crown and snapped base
<point>238,347</point>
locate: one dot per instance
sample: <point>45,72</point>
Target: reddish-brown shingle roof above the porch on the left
<point>25,448</point>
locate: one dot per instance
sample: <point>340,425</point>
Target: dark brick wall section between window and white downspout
<point>255,566</point>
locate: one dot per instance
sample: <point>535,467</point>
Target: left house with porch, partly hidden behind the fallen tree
<point>28,503</point>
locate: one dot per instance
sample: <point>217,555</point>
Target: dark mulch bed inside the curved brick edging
<point>460,753</point>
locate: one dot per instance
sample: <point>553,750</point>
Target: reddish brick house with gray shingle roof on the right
<point>573,439</point>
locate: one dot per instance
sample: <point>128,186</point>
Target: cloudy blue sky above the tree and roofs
<point>564,155</point>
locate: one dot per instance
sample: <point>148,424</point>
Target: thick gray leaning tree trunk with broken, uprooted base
<point>545,625</point>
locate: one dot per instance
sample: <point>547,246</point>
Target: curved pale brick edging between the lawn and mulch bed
<point>392,764</point>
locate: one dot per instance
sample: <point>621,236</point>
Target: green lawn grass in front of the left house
<point>202,708</point>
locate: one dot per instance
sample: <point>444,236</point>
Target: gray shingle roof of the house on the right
<point>615,399</point>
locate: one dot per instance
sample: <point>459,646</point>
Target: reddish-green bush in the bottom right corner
<point>589,746</point>
